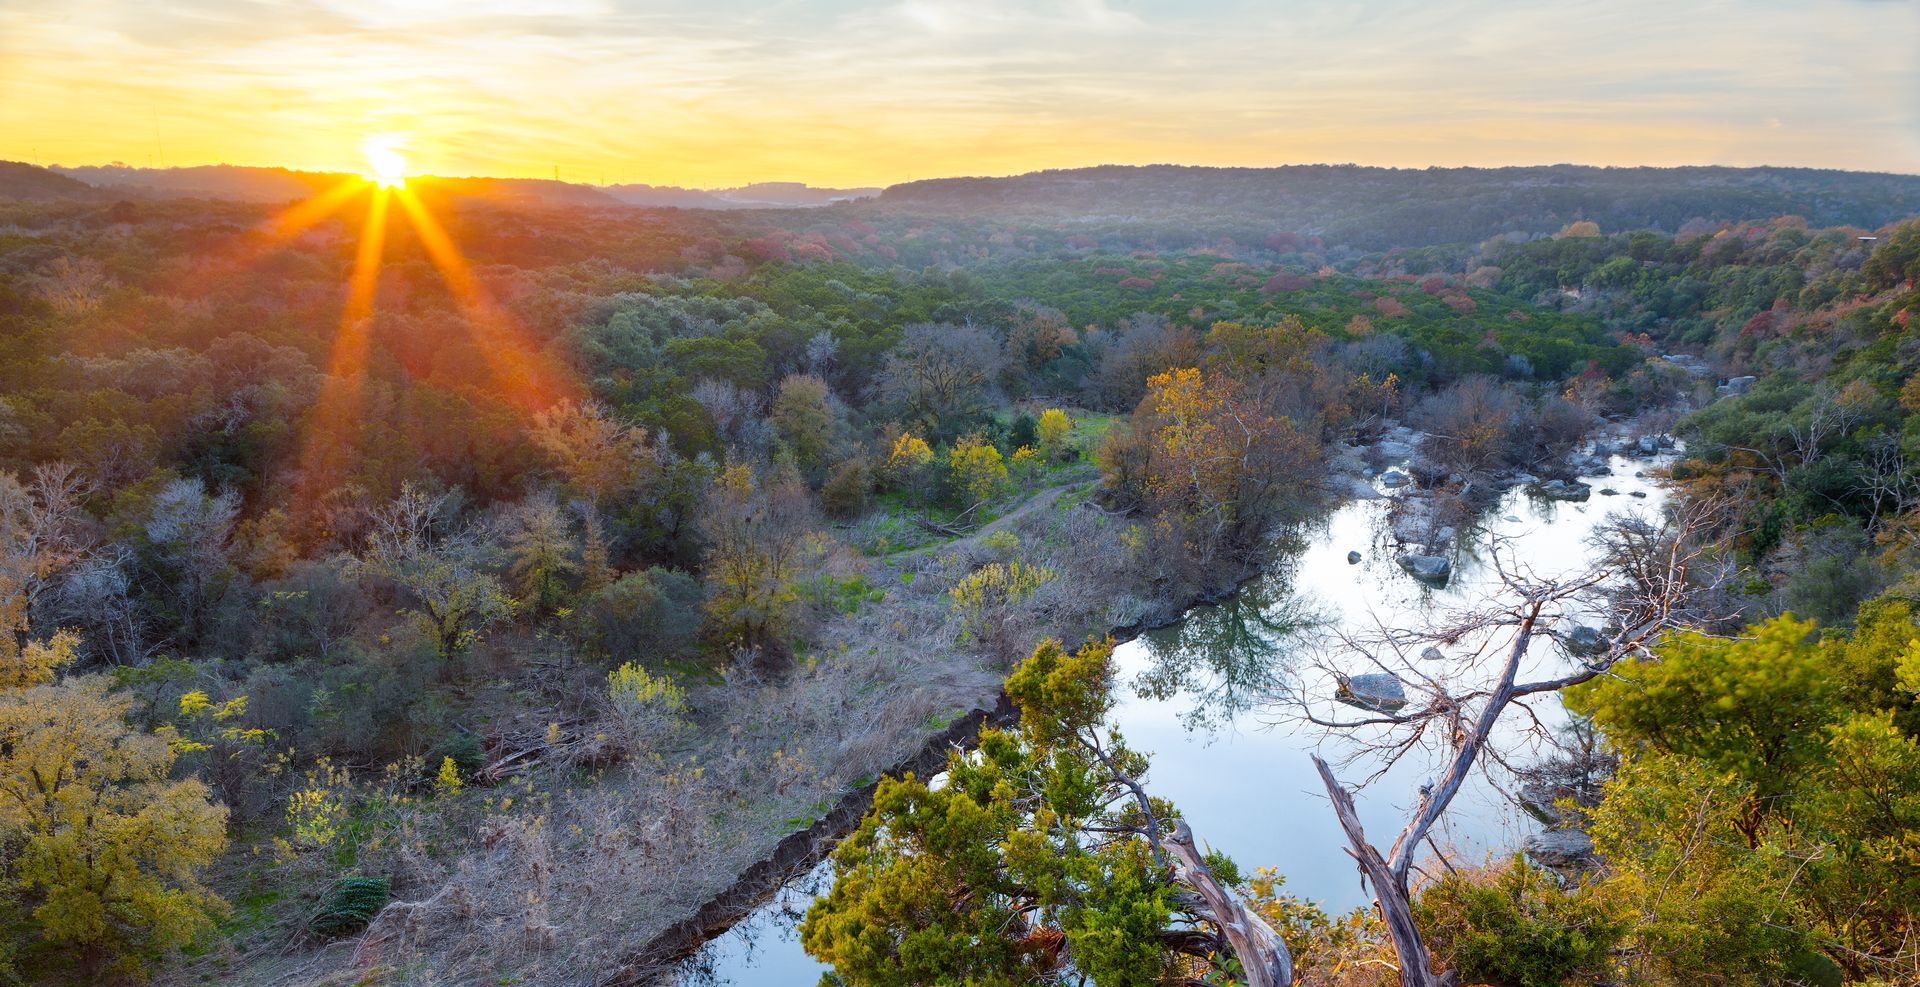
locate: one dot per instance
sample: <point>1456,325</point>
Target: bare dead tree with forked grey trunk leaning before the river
<point>1449,686</point>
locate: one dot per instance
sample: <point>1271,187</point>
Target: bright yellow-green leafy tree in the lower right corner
<point>1767,817</point>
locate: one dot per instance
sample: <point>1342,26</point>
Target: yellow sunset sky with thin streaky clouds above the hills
<point>840,93</point>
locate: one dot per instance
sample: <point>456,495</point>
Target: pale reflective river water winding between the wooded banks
<point>1243,781</point>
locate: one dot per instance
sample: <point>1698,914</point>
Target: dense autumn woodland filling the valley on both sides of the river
<point>433,617</point>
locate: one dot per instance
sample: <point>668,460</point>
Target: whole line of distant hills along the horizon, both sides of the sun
<point>1351,206</point>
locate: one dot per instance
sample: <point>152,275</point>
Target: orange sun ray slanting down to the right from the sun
<point>521,372</point>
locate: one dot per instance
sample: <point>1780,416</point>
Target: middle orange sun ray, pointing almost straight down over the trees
<point>329,435</point>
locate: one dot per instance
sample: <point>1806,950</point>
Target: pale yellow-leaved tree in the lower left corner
<point>108,848</point>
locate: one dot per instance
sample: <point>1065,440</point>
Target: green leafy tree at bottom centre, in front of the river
<point>1040,850</point>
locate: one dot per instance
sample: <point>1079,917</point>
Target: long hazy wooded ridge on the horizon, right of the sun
<point>1380,208</point>
